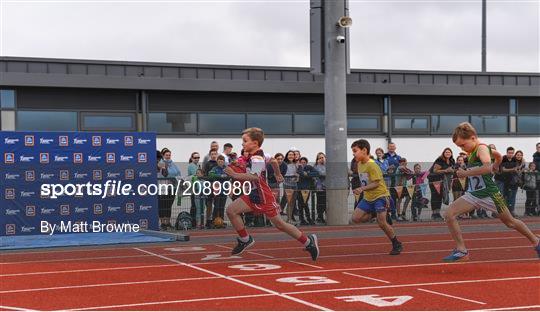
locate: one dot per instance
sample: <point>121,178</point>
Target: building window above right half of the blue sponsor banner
<point>107,122</point>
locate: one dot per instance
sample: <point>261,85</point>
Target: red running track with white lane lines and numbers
<point>352,274</point>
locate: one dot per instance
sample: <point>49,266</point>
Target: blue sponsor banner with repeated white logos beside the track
<point>31,160</point>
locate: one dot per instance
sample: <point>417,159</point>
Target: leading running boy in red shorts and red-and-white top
<point>261,198</point>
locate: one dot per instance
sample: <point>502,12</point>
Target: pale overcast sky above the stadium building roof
<point>423,35</point>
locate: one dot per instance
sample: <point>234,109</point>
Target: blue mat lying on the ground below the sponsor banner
<point>80,239</point>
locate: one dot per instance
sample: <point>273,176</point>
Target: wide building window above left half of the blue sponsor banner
<point>46,121</point>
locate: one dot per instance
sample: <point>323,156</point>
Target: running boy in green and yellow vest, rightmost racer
<point>482,192</point>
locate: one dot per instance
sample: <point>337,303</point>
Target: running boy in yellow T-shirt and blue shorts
<point>376,195</point>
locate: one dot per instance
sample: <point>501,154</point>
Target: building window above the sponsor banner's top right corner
<point>172,122</point>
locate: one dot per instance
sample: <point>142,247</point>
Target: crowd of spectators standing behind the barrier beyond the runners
<point>302,194</point>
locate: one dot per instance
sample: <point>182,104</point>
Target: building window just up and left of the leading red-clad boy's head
<point>222,123</point>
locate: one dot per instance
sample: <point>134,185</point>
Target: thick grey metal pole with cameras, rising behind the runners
<point>329,55</point>
